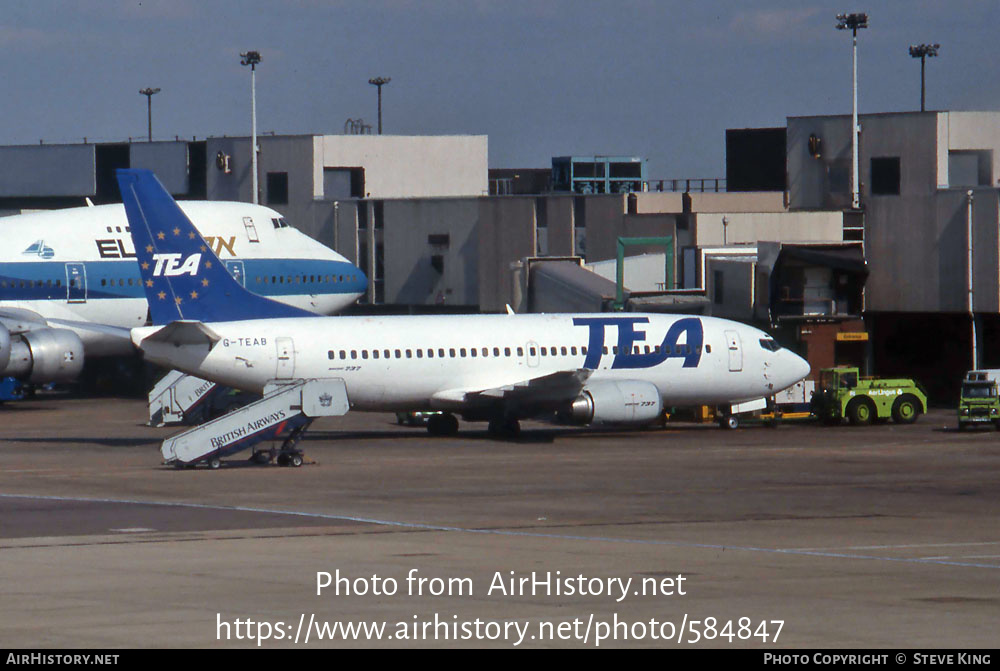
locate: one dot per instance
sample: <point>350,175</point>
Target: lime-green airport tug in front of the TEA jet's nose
<point>842,392</point>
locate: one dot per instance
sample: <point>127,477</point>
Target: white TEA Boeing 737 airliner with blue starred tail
<point>591,368</point>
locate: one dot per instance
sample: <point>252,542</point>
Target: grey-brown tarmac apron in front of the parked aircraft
<point>878,537</point>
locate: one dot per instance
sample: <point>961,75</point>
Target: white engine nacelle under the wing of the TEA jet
<point>625,402</point>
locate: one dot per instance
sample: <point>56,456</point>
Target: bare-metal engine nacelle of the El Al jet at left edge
<point>42,356</point>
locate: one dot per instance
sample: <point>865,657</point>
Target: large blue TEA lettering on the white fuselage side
<point>628,356</point>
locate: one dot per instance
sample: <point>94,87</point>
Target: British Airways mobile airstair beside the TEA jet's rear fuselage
<point>283,414</point>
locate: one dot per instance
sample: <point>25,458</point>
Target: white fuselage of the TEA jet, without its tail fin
<point>397,363</point>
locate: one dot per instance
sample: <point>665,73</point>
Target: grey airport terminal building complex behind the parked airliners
<point>776,242</point>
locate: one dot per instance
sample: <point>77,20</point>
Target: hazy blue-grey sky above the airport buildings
<point>662,79</point>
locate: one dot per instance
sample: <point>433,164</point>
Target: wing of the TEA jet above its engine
<point>541,391</point>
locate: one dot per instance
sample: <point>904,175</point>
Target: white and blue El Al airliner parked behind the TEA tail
<point>61,268</point>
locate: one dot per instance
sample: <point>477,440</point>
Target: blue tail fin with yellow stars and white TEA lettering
<point>182,276</point>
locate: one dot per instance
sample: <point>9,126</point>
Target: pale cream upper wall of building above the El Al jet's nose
<point>408,166</point>
